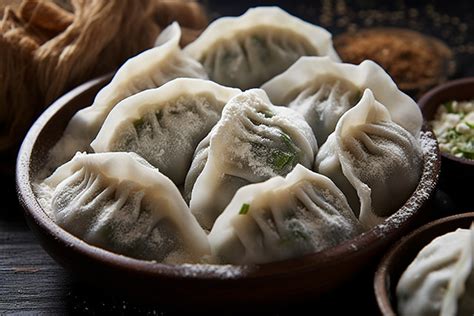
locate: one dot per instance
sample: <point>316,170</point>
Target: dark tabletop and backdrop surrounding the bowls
<point>30,281</point>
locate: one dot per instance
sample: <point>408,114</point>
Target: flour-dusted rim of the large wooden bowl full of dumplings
<point>279,269</point>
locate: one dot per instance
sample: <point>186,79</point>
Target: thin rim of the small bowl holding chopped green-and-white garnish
<point>424,100</point>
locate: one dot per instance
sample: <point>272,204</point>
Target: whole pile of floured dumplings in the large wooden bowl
<point>254,144</point>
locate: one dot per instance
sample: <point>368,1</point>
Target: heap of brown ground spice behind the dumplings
<point>415,61</point>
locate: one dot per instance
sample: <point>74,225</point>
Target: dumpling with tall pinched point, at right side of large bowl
<point>376,162</point>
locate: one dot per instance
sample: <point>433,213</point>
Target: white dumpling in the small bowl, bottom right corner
<point>440,281</point>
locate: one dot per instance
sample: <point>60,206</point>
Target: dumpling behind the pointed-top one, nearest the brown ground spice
<point>322,90</point>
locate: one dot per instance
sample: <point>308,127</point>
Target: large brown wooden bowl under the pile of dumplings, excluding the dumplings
<point>282,281</point>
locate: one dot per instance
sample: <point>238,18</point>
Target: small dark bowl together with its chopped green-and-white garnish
<point>449,111</point>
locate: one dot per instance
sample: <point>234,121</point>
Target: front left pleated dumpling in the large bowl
<point>119,202</point>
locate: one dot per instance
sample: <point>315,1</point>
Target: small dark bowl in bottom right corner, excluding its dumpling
<point>400,256</point>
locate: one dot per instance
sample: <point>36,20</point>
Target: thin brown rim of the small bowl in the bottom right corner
<point>381,282</point>
